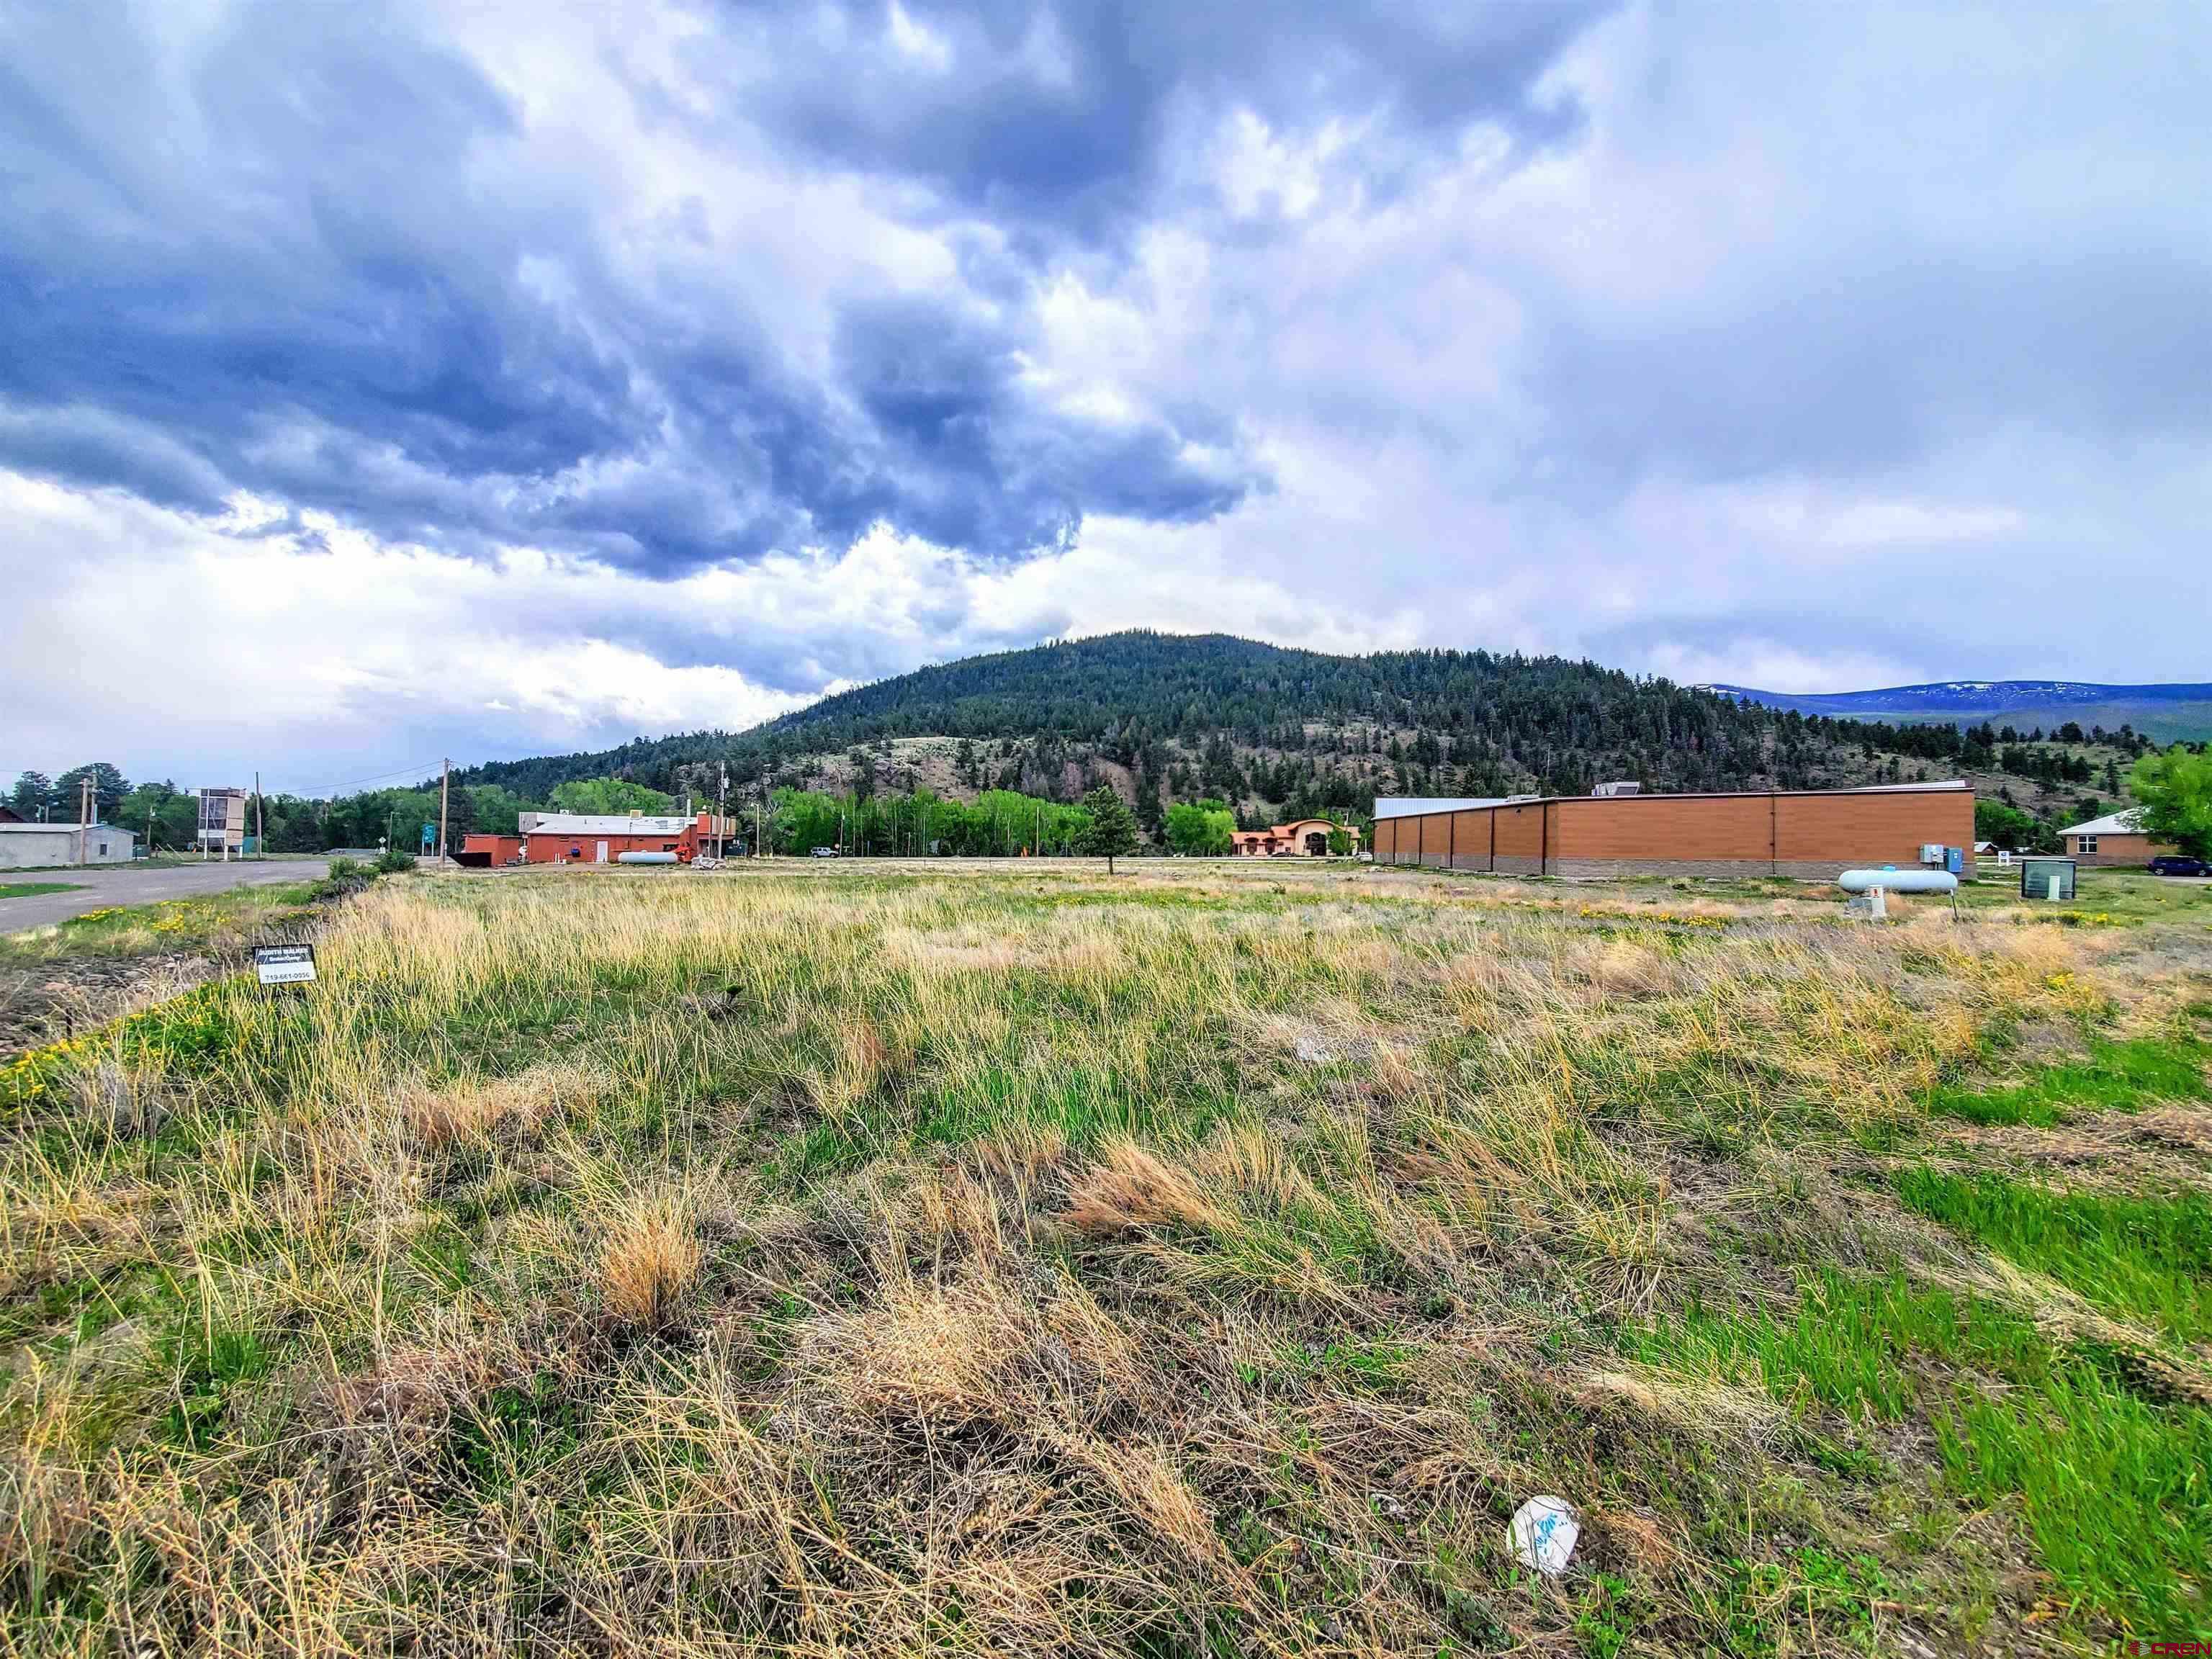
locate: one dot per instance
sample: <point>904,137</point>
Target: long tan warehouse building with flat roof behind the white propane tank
<point>1784,833</point>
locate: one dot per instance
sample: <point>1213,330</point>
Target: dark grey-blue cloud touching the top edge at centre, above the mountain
<point>1056,118</point>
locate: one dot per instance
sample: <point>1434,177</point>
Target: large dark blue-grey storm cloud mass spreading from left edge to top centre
<point>313,255</point>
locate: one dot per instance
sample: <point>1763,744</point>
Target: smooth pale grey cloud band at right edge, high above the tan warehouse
<point>1866,371</point>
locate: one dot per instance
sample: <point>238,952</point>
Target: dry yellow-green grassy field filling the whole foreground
<point>1196,1262</point>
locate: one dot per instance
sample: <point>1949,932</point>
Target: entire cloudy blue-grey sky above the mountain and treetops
<point>395,382</point>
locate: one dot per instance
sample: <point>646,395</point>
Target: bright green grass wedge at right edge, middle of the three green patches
<point>2145,1258</point>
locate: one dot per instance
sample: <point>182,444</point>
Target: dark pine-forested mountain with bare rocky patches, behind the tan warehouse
<point>1180,716</point>
